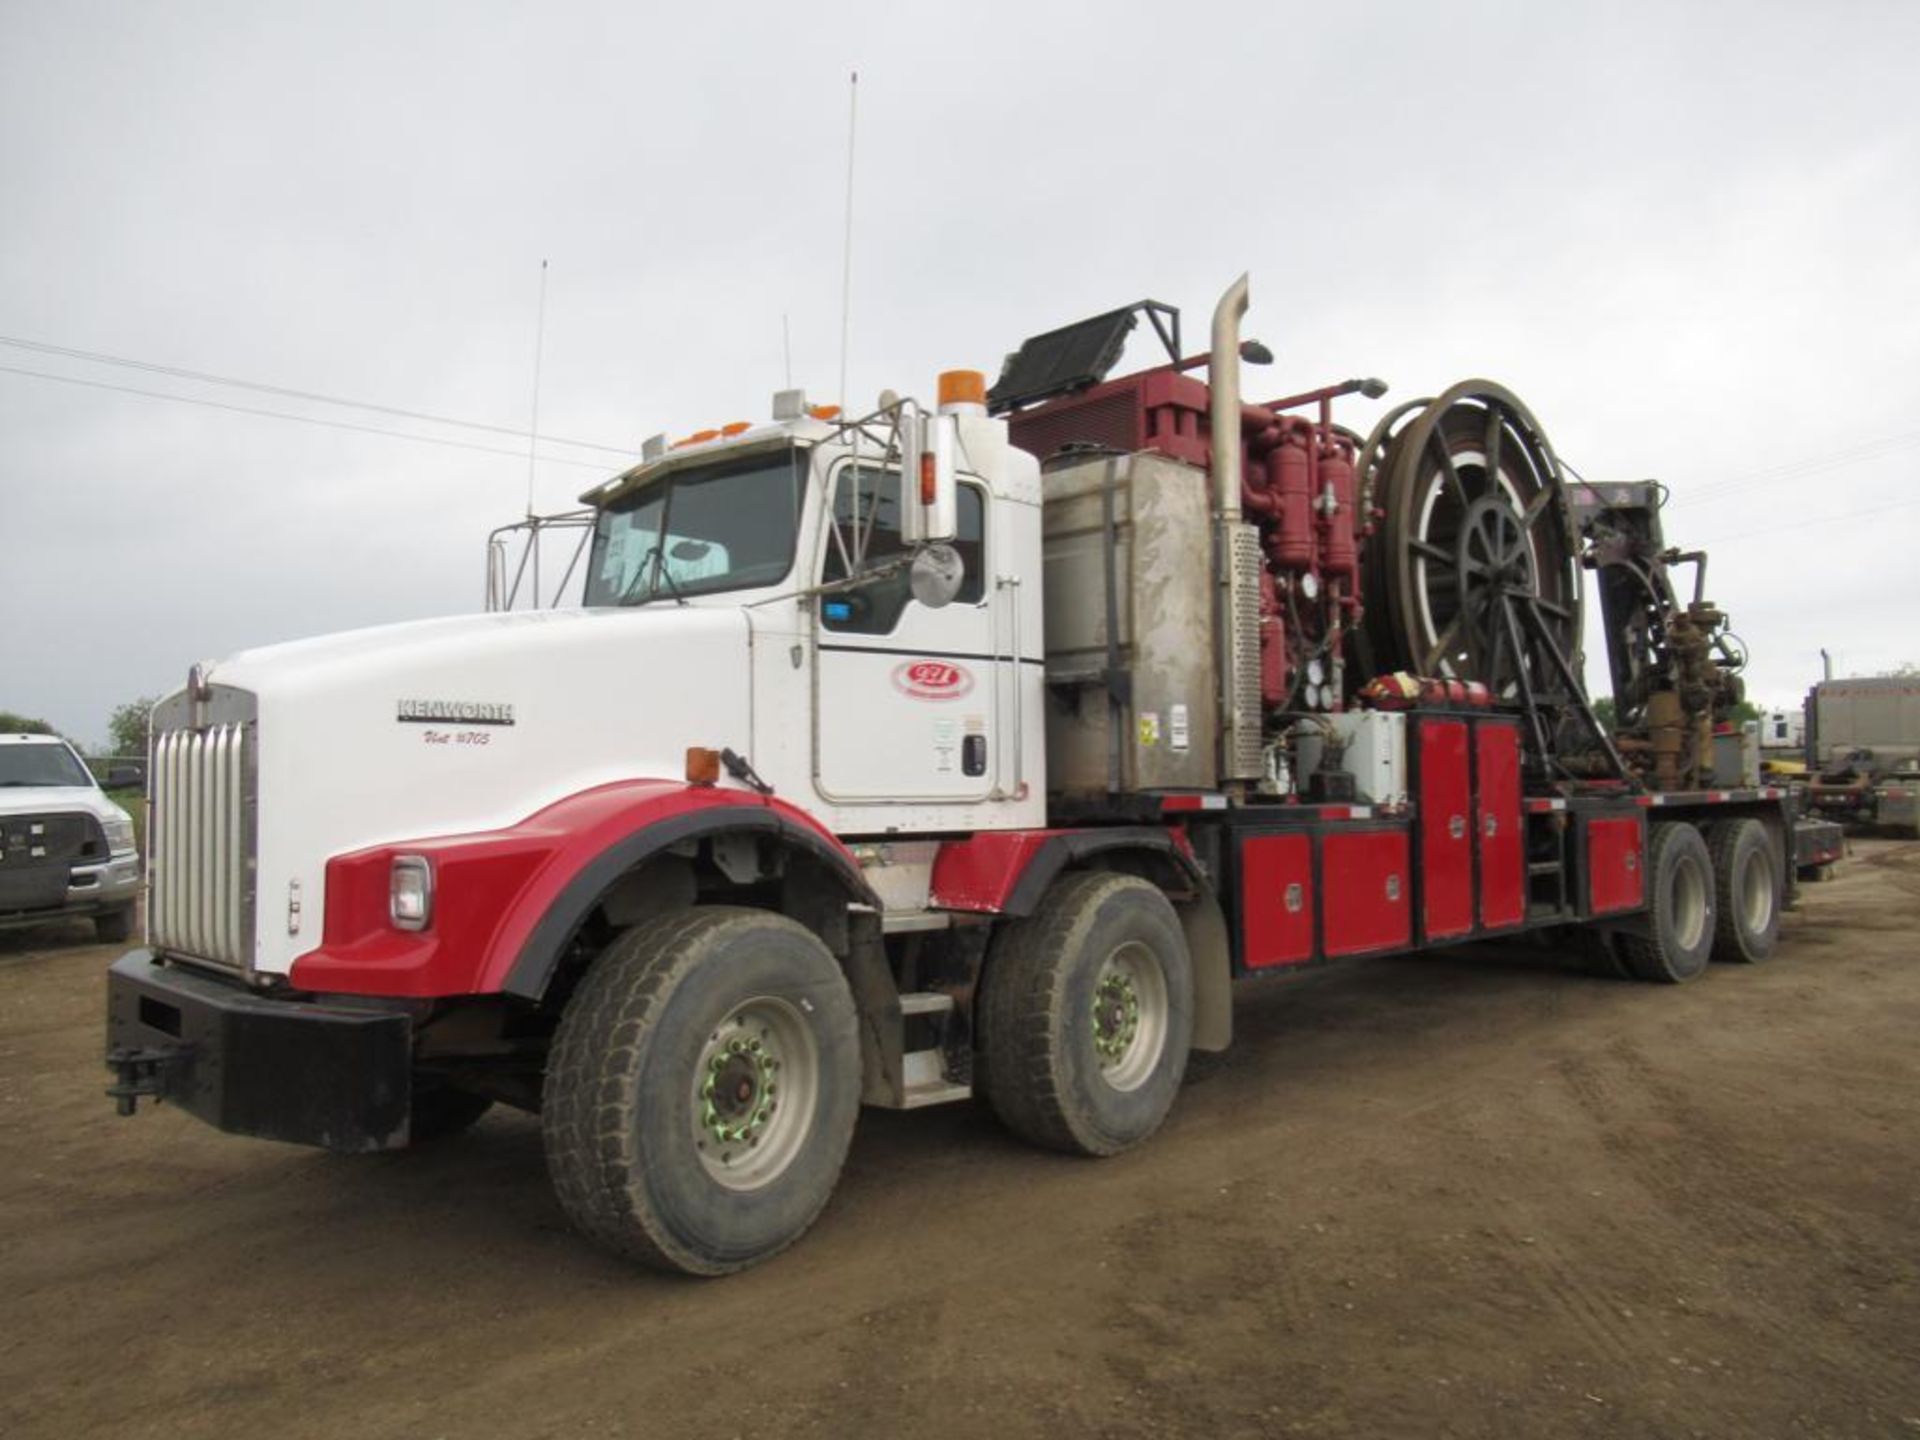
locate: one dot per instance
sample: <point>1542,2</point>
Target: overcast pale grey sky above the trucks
<point>1687,235</point>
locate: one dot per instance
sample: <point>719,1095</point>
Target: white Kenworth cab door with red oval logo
<point>907,698</point>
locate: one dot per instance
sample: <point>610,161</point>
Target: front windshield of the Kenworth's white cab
<point>729,525</point>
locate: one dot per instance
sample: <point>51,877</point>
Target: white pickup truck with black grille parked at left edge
<point>66,850</point>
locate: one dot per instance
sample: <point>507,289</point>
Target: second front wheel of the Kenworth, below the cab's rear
<point>1086,1017</point>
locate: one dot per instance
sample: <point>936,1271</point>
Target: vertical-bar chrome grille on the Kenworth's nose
<point>201,844</point>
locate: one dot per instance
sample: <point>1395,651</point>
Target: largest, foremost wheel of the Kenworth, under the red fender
<point>702,1090</point>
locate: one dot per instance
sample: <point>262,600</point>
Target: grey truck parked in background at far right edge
<point>1863,752</point>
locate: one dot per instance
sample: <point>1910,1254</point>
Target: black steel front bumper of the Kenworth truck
<point>252,1065</point>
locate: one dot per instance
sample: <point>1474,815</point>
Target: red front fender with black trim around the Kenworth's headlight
<point>508,901</point>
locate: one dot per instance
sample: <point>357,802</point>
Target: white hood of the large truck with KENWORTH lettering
<point>469,725</point>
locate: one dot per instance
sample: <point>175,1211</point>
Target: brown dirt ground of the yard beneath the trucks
<point>1447,1197</point>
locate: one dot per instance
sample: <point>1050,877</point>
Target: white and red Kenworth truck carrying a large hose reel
<point>959,750</point>
